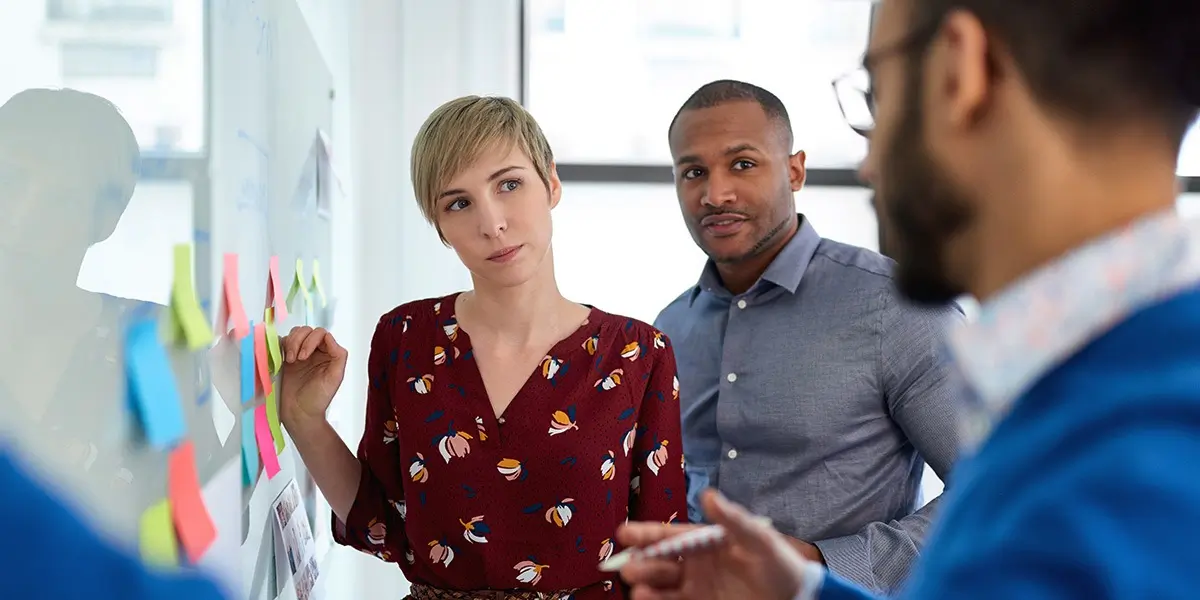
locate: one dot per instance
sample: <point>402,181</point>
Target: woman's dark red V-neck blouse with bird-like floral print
<point>464,500</point>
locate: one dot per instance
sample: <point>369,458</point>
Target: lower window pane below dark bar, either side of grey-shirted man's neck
<point>653,255</point>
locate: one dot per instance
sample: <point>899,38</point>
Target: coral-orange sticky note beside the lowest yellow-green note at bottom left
<point>193,521</point>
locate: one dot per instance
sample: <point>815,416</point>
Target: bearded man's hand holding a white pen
<point>740,557</point>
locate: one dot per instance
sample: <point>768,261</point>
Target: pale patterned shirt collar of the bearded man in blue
<point>1052,314</point>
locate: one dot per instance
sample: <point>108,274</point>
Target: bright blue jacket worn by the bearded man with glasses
<point>1090,489</point>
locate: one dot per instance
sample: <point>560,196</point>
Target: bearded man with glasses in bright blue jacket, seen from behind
<point>1024,152</point>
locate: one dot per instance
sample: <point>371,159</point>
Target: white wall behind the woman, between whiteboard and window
<point>393,64</point>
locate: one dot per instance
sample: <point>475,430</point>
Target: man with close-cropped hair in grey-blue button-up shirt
<point>811,392</point>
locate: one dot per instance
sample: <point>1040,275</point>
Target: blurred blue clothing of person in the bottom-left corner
<point>50,554</point>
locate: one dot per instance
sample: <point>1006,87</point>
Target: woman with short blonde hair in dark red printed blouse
<point>509,430</point>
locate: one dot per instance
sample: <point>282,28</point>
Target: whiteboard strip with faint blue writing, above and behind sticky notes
<point>272,103</point>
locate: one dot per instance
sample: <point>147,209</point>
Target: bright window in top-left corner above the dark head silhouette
<point>147,57</point>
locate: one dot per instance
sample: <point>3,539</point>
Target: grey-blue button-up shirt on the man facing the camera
<point>817,399</point>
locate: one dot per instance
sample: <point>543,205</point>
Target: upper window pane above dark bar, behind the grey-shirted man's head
<point>607,79</point>
